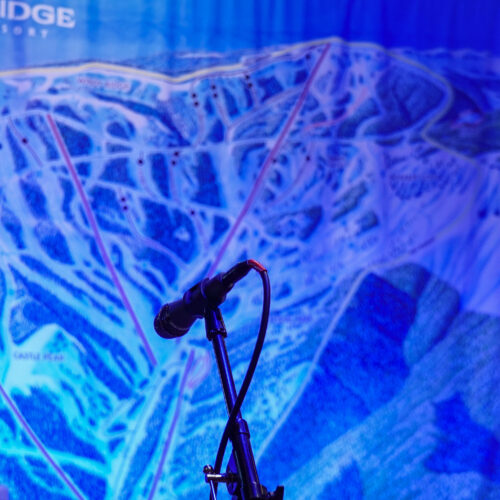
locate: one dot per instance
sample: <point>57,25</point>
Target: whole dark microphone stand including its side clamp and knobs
<point>242,478</point>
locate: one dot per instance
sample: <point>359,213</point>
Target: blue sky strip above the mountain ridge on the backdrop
<point>114,32</point>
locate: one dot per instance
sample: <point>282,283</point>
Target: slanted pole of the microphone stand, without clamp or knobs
<point>250,487</point>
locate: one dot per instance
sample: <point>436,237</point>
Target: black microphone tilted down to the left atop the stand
<point>176,318</point>
